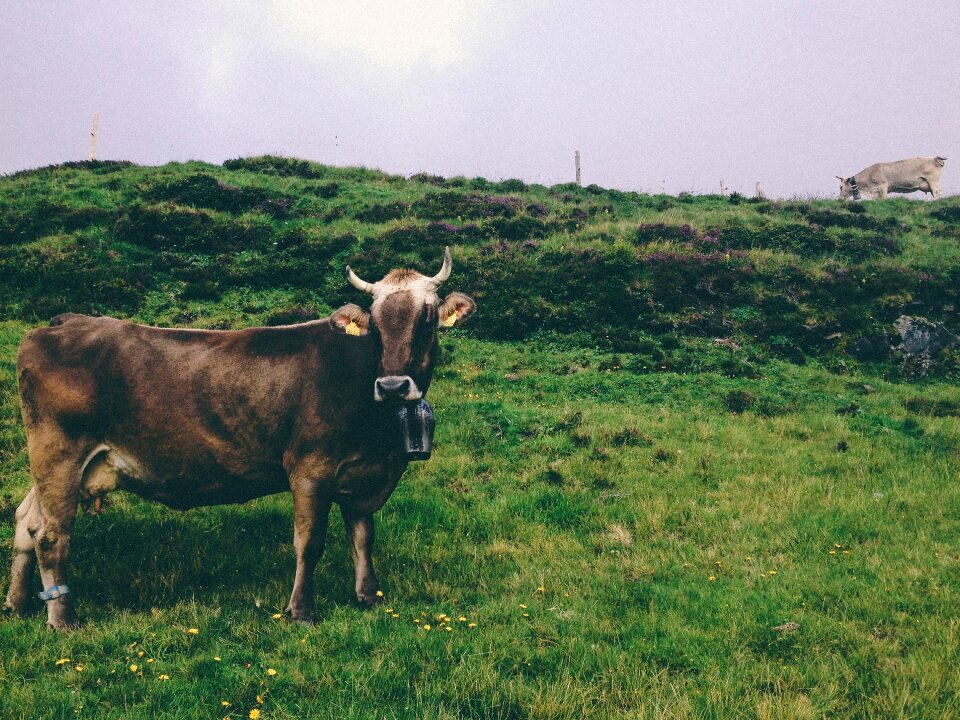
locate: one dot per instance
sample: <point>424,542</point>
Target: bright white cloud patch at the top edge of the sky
<point>393,35</point>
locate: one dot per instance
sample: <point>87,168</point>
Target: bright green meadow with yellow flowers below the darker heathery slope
<point>624,543</point>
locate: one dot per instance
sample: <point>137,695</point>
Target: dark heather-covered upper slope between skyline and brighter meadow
<point>265,240</point>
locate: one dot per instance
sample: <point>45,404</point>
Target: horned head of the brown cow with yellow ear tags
<point>404,316</point>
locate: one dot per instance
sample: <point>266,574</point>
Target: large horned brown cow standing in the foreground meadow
<point>205,417</point>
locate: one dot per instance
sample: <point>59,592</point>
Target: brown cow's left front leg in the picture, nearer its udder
<point>310,513</point>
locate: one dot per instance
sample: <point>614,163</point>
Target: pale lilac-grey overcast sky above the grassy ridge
<point>655,95</point>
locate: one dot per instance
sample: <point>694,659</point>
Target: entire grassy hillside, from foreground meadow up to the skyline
<point>633,519</point>
